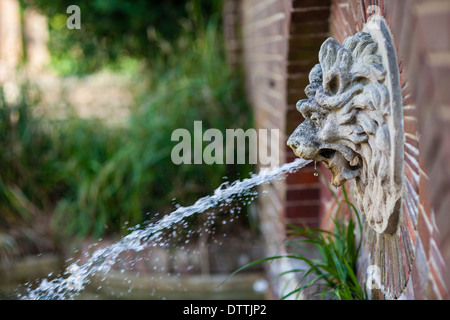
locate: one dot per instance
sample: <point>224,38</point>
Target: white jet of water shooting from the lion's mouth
<point>75,277</point>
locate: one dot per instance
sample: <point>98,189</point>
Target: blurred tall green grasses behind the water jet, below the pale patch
<point>98,177</point>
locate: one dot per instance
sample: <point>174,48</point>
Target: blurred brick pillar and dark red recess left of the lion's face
<point>280,40</point>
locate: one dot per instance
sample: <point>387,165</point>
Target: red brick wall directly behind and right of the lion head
<point>420,30</point>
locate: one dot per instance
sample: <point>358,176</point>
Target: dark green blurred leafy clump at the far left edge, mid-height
<point>25,156</point>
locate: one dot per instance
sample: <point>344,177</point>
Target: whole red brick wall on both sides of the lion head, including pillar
<point>280,43</point>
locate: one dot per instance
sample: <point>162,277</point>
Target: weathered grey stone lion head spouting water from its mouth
<point>353,121</point>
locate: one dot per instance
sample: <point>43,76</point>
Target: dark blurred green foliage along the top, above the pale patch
<point>111,29</point>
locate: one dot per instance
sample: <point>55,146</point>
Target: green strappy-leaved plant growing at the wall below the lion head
<point>333,272</point>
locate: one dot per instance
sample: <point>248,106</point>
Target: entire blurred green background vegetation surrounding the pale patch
<point>75,177</point>
